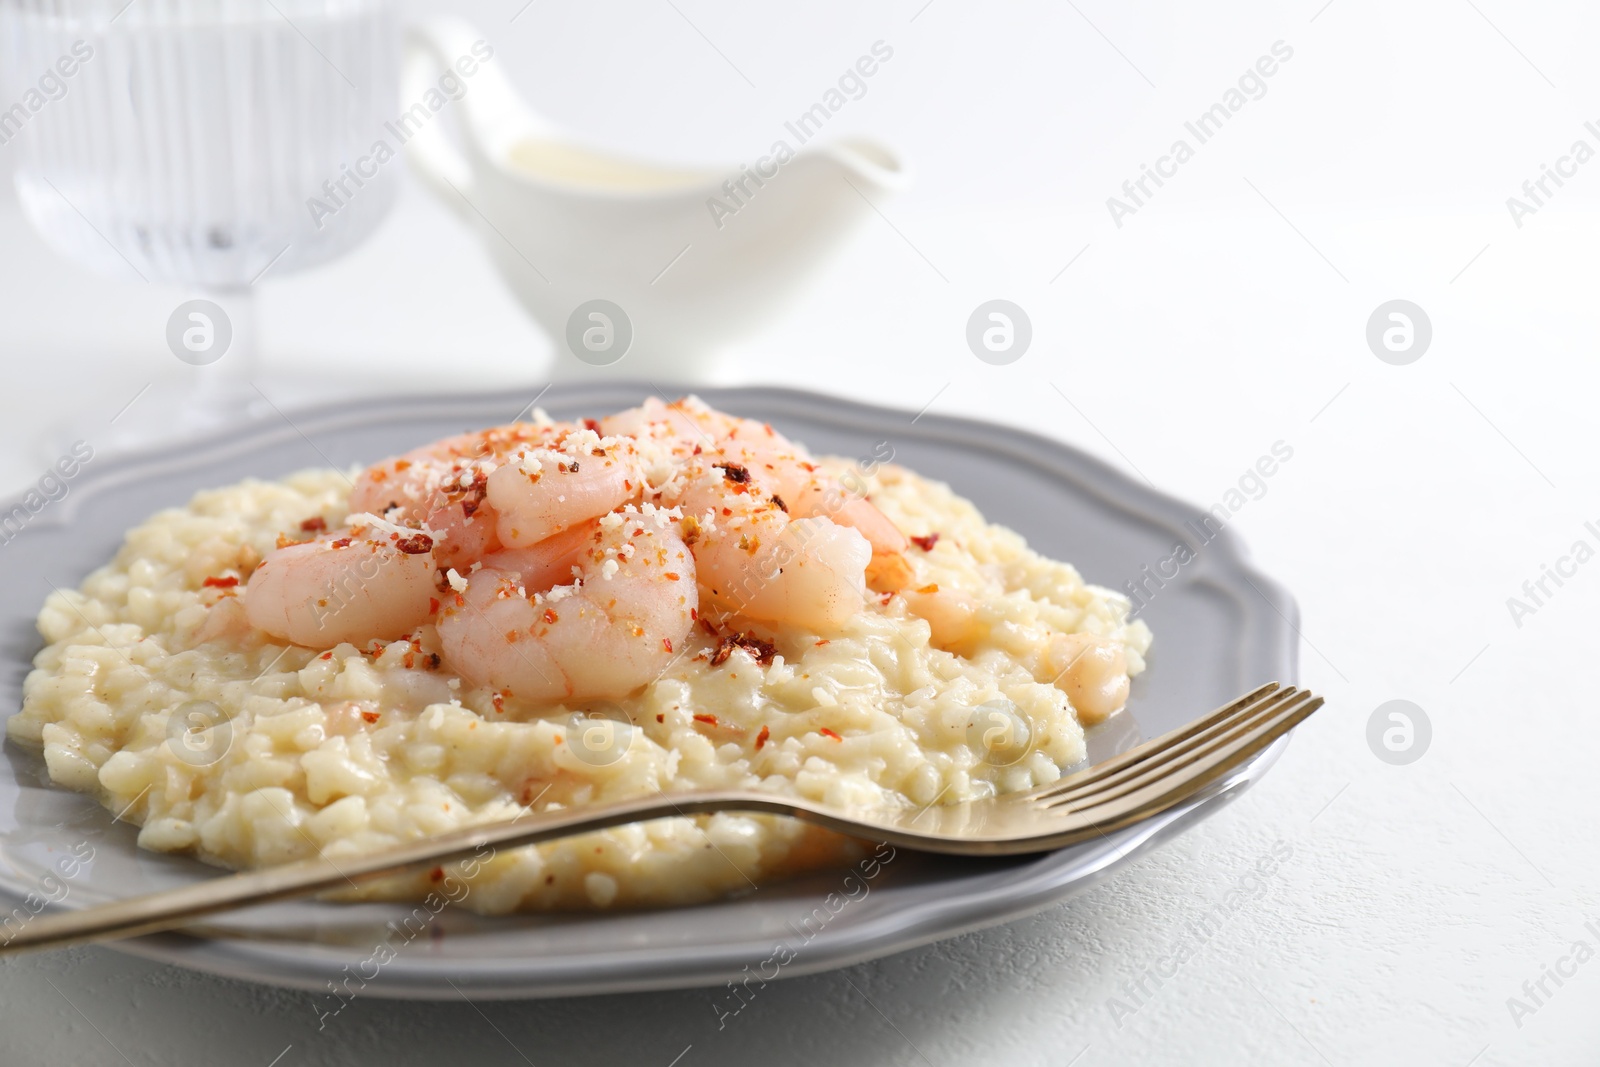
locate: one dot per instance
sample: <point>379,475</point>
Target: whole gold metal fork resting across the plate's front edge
<point>1143,781</point>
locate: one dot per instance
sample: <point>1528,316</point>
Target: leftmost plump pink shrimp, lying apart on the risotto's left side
<point>370,581</point>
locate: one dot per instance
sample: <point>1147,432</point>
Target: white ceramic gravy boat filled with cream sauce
<point>657,268</point>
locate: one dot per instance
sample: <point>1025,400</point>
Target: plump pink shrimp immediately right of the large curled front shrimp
<point>756,562</point>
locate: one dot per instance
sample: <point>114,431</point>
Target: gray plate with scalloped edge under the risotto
<point>1222,628</point>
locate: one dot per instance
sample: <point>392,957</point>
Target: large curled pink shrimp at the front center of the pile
<point>604,636</point>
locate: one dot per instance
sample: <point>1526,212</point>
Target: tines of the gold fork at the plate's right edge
<point>1191,773</point>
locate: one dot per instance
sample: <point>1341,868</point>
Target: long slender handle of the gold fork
<point>178,908</point>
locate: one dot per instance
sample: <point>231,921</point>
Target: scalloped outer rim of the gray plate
<point>1041,884</point>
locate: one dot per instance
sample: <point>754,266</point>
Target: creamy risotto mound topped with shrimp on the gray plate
<point>164,693</point>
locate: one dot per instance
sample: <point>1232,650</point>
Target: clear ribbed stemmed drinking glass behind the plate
<point>204,145</point>
